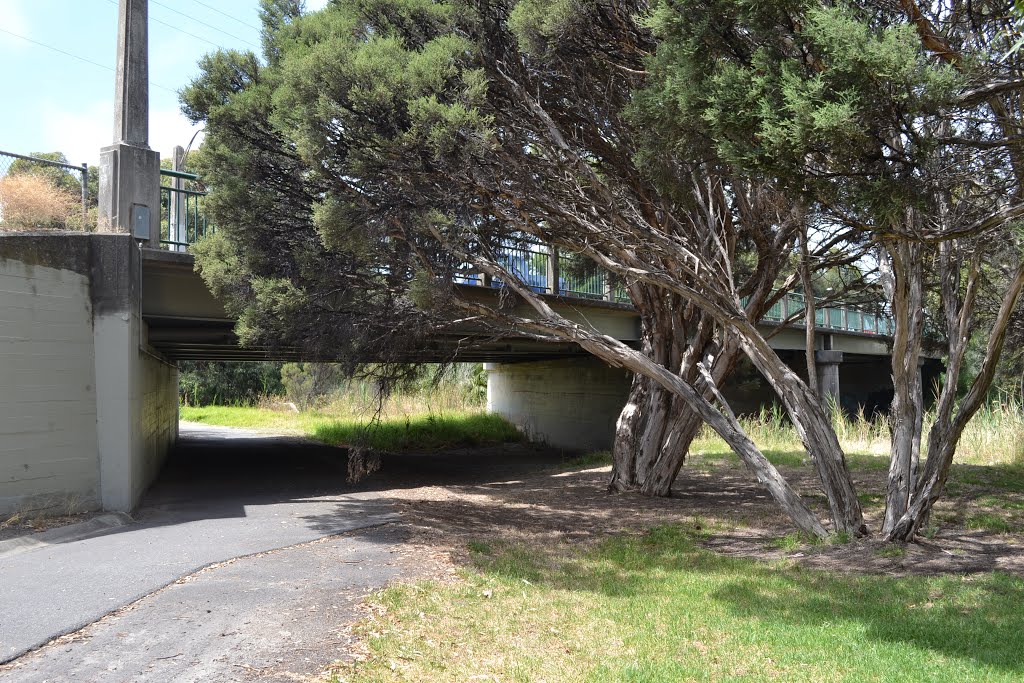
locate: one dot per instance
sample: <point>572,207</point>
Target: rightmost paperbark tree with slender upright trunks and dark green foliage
<point>901,121</point>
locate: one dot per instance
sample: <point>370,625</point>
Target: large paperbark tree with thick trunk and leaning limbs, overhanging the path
<point>410,143</point>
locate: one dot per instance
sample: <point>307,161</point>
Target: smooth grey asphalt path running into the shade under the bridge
<point>226,494</point>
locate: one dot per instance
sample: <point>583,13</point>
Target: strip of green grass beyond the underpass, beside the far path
<point>421,433</point>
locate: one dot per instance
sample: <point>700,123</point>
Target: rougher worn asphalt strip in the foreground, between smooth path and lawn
<point>283,616</point>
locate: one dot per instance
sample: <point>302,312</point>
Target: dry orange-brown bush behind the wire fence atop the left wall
<point>33,203</point>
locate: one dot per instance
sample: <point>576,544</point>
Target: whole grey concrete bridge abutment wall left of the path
<point>88,411</point>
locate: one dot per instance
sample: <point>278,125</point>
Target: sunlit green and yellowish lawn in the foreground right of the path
<point>657,608</point>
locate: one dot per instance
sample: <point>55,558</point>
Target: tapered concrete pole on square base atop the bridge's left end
<point>130,173</point>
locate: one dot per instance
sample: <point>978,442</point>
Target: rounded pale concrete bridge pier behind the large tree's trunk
<point>572,404</point>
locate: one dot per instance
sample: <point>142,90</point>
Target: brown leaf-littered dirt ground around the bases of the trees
<point>573,506</point>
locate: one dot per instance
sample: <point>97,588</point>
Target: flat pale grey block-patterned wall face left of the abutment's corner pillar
<point>49,454</point>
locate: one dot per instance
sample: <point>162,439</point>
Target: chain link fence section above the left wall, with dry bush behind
<point>47,193</point>
